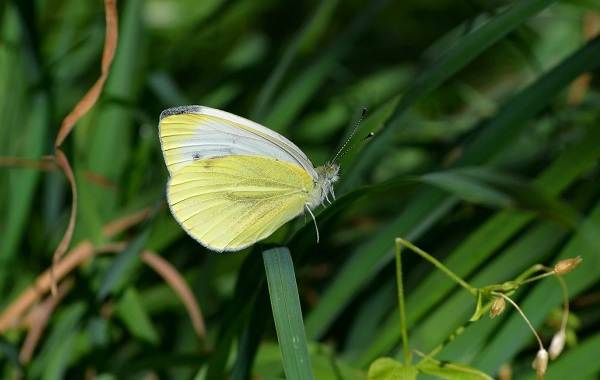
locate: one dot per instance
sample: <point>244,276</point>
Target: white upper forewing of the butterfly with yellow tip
<point>191,133</point>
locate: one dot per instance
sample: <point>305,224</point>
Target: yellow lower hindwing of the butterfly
<point>228,203</point>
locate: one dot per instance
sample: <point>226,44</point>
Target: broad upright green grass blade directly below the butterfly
<point>287,314</point>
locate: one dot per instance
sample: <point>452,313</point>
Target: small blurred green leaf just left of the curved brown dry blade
<point>132,312</point>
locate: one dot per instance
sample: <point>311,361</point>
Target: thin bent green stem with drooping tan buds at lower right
<point>493,298</point>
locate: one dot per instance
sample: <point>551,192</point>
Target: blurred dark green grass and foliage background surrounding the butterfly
<point>486,148</point>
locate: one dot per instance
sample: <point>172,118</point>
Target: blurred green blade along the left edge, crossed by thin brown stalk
<point>24,119</point>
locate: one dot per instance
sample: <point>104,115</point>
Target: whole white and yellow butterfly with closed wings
<point>234,182</point>
